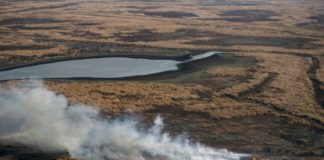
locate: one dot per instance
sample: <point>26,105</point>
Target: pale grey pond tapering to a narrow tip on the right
<point>112,67</point>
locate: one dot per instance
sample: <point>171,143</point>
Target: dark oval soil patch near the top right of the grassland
<point>248,15</point>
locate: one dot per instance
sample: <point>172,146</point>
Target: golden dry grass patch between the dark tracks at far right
<point>291,90</point>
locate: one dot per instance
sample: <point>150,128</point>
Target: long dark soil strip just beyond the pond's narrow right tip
<point>292,43</point>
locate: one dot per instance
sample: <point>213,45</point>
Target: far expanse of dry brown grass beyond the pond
<point>90,21</point>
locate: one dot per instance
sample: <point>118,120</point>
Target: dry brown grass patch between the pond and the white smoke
<point>118,97</point>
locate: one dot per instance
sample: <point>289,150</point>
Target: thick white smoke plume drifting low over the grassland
<point>33,115</point>
